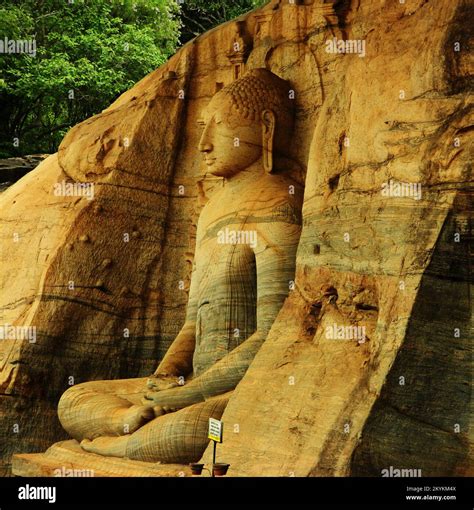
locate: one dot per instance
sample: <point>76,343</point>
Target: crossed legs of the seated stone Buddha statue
<point>108,418</point>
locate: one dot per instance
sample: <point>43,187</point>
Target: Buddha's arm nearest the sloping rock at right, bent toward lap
<point>275,270</point>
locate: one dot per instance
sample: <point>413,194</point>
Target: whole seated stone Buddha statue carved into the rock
<point>247,236</point>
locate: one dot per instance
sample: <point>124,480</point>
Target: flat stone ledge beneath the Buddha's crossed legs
<point>69,457</point>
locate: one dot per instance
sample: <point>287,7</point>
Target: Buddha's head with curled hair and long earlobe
<point>248,121</point>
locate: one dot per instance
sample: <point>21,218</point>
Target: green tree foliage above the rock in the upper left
<point>88,52</point>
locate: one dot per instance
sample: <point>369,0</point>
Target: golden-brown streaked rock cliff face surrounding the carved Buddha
<point>368,363</point>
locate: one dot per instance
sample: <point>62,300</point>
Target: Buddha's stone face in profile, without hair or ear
<point>230,143</point>
